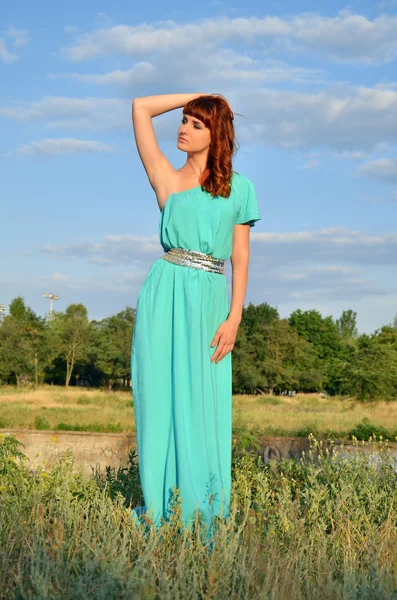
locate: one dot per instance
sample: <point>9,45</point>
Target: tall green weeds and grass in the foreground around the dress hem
<point>324,527</point>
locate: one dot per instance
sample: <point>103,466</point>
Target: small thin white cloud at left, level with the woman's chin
<point>48,147</point>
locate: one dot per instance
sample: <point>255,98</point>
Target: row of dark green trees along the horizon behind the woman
<point>305,352</point>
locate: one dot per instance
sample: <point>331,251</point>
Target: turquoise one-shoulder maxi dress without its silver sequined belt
<point>182,400</point>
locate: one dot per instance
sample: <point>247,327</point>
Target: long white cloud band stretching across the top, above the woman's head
<point>347,37</point>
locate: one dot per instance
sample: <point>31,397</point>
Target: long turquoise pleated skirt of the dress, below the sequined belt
<point>182,400</point>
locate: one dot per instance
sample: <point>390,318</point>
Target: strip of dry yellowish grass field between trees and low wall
<point>94,410</point>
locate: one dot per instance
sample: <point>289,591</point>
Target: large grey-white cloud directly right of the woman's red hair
<point>341,118</point>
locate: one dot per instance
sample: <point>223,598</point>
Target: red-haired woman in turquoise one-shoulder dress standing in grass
<point>181,360</point>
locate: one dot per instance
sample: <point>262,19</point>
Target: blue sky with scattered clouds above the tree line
<point>316,85</point>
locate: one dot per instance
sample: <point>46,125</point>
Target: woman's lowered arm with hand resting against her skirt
<point>227,331</point>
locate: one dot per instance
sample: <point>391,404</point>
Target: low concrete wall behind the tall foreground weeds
<point>111,449</point>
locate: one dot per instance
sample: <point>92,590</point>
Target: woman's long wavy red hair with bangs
<point>215,113</point>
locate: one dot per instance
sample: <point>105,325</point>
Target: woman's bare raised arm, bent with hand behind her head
<point>144,109</point>
